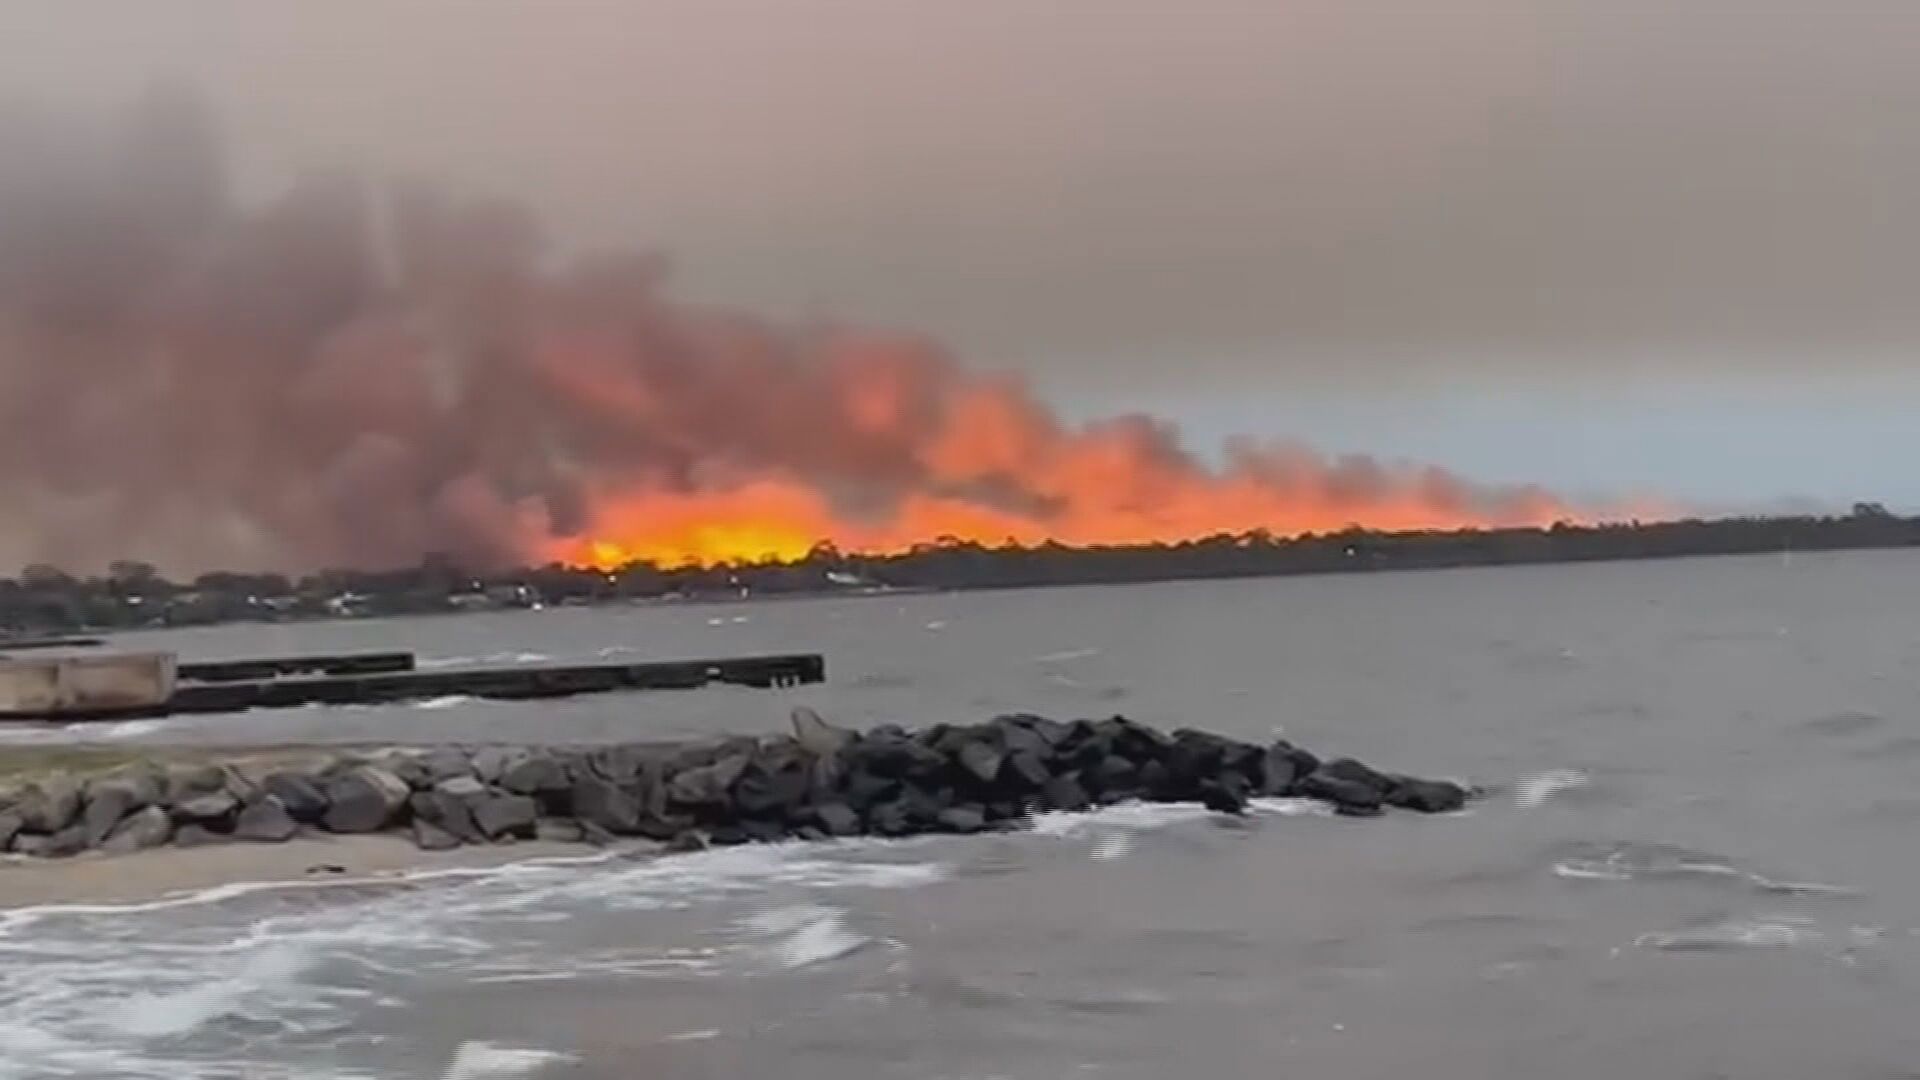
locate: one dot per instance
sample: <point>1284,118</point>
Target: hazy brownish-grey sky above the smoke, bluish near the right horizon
<point>1610,247</point>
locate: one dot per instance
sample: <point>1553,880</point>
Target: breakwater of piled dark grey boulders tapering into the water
<point>817,783</point>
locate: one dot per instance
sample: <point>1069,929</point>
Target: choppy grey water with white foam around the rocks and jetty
<point>1696,860</point>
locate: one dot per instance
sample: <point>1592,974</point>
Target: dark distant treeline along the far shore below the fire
<point>135,595</point>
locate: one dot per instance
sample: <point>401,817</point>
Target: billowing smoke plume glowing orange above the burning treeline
<point>356,378</point>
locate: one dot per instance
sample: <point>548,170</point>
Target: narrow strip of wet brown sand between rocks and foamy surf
<point>168,871</point>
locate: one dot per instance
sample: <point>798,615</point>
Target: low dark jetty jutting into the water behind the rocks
<point>341,685</point>
